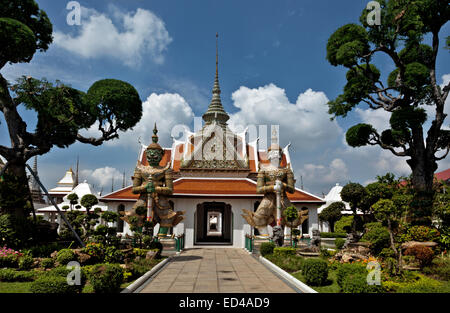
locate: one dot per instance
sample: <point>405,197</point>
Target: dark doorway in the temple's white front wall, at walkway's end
<point>213,223</point>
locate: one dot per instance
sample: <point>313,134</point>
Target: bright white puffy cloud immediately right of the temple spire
<point>304,123</point>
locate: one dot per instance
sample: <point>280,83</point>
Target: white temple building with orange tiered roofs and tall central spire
<point>214,180</point>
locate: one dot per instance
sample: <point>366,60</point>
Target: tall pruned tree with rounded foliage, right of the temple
<point>406,90</point>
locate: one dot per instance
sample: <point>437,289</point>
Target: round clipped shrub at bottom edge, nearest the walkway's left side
<point>106,278</point>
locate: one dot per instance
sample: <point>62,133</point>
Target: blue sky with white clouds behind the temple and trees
<point>273,51</point>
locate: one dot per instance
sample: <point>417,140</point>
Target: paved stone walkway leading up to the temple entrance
<point>214,270</point>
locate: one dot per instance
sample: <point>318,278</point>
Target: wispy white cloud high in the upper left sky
<point>135,36</point>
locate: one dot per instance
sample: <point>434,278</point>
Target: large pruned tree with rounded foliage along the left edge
<point>62,112</point>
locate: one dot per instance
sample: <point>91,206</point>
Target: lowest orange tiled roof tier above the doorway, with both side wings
<point>212,187</point>
